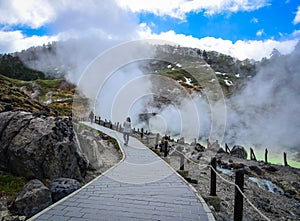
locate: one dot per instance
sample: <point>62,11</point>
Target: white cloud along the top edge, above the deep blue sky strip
<point>180,8</point>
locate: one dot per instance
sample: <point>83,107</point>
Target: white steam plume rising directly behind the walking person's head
<point>125,93</point>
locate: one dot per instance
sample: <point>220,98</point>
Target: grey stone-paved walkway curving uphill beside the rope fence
<point>141,187</point>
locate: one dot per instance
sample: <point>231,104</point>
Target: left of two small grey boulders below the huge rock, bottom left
<point>33,198</point>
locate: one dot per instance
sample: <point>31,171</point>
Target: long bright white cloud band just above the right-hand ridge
<point>240,49</point>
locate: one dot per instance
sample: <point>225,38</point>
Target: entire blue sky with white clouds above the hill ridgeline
<point>241,28</point>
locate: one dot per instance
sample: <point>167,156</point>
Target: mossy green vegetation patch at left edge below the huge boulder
<point>10,185</point>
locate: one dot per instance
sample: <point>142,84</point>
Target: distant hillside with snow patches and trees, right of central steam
<point>207,67</point>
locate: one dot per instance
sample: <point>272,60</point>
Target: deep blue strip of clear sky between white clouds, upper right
<point>273,21</point>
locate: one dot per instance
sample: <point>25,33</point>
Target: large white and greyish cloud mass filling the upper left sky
<point>89,20</point>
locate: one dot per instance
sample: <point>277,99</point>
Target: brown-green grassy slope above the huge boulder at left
<point>54,97</point>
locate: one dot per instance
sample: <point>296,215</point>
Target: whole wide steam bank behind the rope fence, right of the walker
<point>264,114</point>
